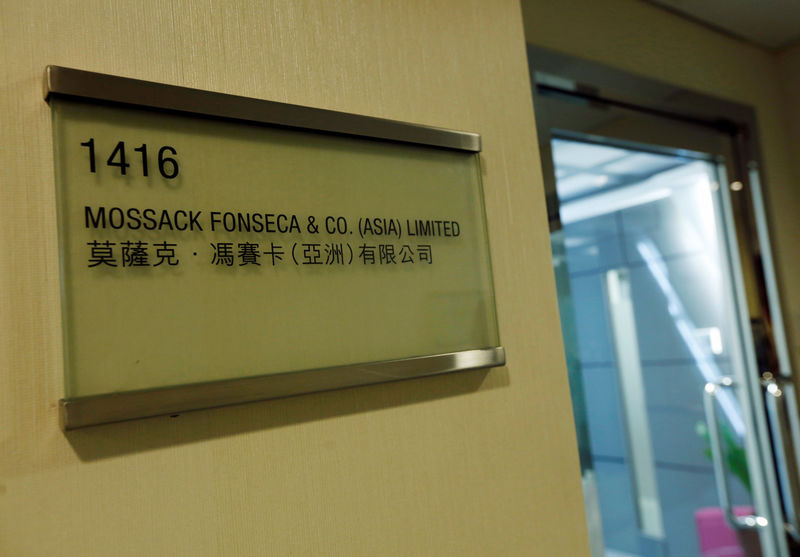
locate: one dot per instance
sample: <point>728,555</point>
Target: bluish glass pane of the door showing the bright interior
<point>644,278</point>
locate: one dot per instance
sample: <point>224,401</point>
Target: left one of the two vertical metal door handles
<point>749,522</point>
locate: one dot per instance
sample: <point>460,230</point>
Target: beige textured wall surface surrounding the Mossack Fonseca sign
<point>468,464</point>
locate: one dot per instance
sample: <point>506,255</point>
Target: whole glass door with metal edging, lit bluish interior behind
<point>658,311</point>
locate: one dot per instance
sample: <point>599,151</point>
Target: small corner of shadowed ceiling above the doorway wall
<point>769,23</point>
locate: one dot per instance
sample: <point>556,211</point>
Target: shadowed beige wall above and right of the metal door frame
<point>638,37</point>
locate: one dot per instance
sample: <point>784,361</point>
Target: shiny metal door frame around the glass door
<point>555,74</point>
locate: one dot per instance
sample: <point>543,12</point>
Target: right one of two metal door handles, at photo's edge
<point>776,394</point>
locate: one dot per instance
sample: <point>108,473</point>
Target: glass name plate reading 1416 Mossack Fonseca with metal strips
<point>217,249</point>
